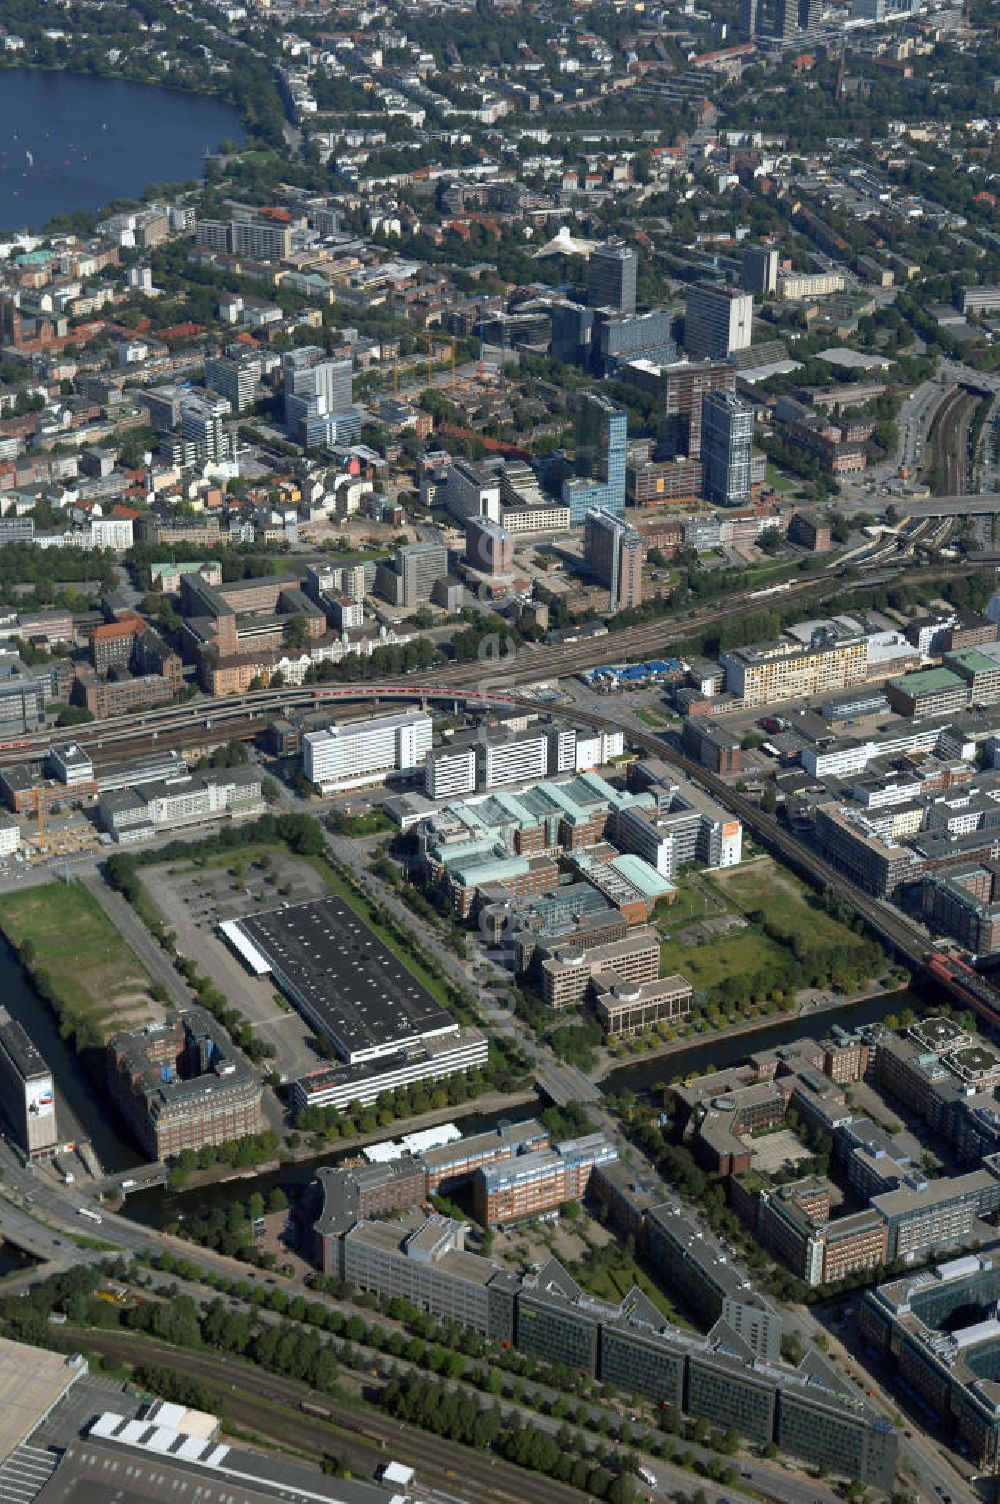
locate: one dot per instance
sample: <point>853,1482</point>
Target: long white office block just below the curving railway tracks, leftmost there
<point>366,751</point>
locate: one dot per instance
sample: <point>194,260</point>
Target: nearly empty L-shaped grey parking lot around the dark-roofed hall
<point>193,900</point>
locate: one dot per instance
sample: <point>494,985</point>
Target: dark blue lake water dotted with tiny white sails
<point>71,142</point>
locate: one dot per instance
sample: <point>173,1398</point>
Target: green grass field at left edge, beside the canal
<point>94,975</point>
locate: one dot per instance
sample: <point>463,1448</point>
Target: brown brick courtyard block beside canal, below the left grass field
<point>183,1085</point>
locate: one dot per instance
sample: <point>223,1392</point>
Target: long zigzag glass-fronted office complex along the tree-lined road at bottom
<point>733,1377</point>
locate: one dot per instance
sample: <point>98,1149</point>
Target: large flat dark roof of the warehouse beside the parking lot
<point>341,969</point>
